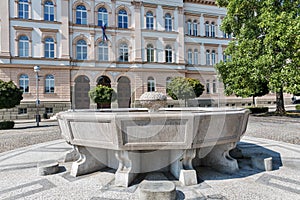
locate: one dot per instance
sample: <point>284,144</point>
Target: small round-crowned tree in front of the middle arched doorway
<point>102,95</point>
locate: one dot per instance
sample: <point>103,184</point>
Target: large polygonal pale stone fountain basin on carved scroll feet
<point>136,141</point>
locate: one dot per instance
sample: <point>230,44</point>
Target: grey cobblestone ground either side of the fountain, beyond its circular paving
<point>278,128</point>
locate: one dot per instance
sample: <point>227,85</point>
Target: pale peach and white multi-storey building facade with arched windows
<point>131,46</point>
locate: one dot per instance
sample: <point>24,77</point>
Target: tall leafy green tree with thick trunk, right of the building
<point>265,49</point>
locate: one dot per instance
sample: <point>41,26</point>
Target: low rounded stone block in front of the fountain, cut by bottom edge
<point>157,190</point>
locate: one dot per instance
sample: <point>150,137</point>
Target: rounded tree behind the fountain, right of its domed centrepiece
<point>184,88</point>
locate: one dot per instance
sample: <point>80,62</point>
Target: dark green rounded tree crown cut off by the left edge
<point>10,95</point>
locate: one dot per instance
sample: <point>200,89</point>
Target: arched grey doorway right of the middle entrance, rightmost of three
<point>124,92</point>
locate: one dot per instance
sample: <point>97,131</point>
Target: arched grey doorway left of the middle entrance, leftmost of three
<point>82,87</point>
